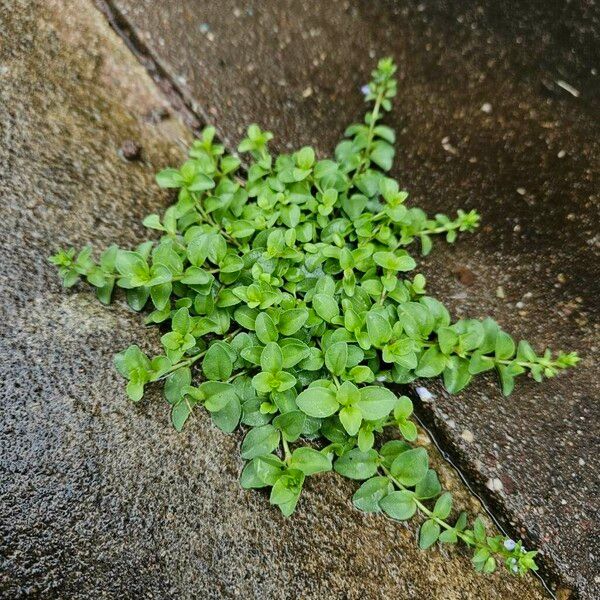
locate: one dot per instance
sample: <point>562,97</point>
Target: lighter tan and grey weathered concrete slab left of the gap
<point>100,498</point>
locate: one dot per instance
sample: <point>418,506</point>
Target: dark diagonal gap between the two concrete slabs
<point>195,117</point>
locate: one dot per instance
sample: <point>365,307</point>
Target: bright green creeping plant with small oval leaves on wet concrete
<point>286,304</point>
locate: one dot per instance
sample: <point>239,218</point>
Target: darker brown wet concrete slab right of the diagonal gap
<point>486,120</point>
